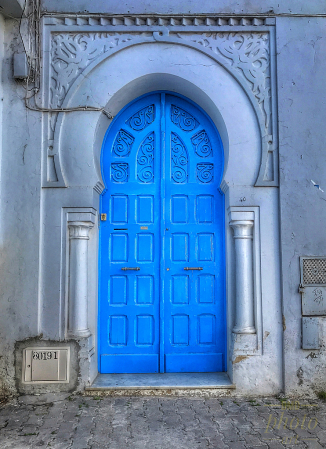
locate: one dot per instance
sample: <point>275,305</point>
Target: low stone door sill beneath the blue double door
<point>167,383</point>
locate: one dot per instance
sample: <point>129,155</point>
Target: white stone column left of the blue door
<point>78,274</point>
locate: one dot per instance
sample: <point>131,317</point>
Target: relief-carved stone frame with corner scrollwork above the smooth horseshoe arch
<point>246,52</point>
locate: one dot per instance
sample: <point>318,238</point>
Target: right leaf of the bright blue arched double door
<point>194,302</point>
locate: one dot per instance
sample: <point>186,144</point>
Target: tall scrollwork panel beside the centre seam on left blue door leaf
<point>145,159</point>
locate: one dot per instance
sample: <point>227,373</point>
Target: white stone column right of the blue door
<point>242,224</point>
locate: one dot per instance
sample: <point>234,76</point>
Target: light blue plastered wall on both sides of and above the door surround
<point>301,68</point>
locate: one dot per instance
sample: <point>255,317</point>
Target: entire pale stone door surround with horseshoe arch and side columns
<point>109,80</point>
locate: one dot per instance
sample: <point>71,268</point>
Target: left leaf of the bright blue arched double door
<point>129,317</point>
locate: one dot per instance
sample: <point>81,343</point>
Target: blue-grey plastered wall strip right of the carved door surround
<point>301,46</point>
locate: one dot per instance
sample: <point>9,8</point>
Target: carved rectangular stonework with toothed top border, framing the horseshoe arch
<point>242,45</point>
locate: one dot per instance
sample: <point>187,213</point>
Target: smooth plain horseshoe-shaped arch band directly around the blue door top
<point>206,84</point>
